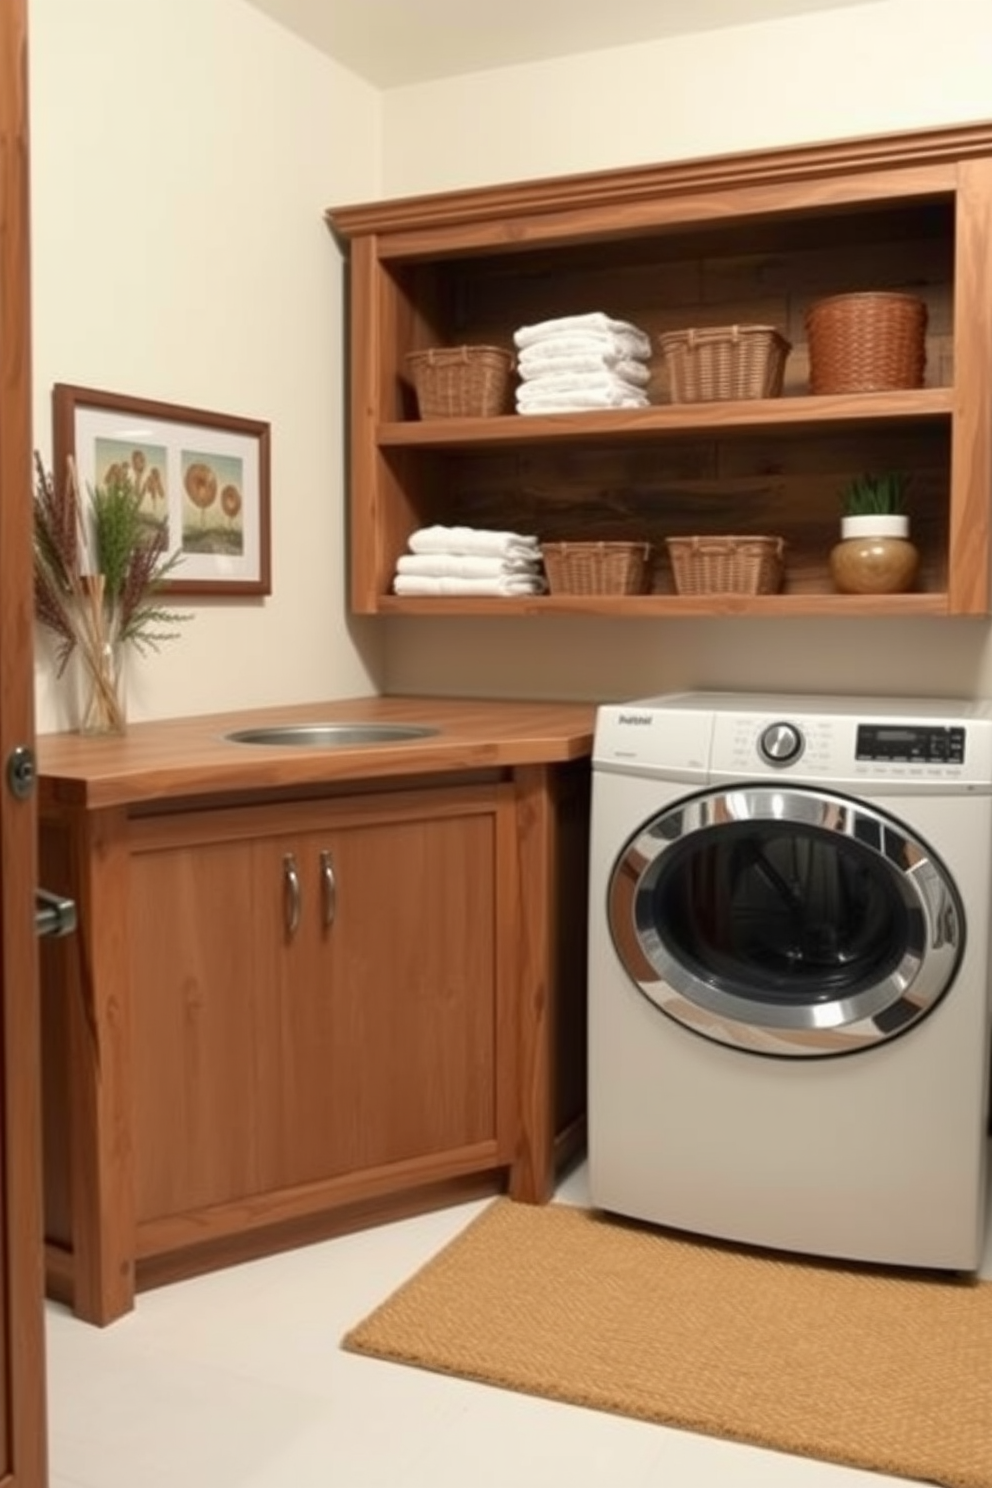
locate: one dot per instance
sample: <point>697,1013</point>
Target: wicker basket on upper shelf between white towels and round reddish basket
<point>725,362</point>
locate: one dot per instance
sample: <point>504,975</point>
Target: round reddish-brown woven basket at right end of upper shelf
<point>866,343</point>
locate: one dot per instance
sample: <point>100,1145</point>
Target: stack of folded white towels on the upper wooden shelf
<point>582,362</point>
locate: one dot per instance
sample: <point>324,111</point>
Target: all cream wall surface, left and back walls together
<point>184,153</point>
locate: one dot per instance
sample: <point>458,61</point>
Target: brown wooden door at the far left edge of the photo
<point>23,1419</point>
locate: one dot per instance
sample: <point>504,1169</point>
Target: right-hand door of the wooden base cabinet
<point>389,993</point>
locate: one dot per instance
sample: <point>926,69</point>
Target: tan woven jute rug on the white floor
<point>862,1367</point>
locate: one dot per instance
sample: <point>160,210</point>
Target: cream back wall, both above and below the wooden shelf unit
<point>887,66</point>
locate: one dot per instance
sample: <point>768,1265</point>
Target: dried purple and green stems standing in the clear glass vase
<point>99,574</point>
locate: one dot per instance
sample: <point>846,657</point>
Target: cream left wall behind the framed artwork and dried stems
<point>184,154</point>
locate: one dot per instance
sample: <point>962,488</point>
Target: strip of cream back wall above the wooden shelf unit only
<point>877,68</point>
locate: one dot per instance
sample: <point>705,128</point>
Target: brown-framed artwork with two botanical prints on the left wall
<point>203,477</point>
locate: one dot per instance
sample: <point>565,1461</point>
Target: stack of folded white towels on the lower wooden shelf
<point>471,560</point>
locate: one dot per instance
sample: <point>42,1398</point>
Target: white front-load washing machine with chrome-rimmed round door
<point>789,977</point>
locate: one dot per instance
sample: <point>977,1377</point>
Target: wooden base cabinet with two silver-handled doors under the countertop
<point>291,1013</point>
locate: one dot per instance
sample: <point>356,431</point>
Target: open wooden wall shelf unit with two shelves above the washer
<point>750,239</point>
